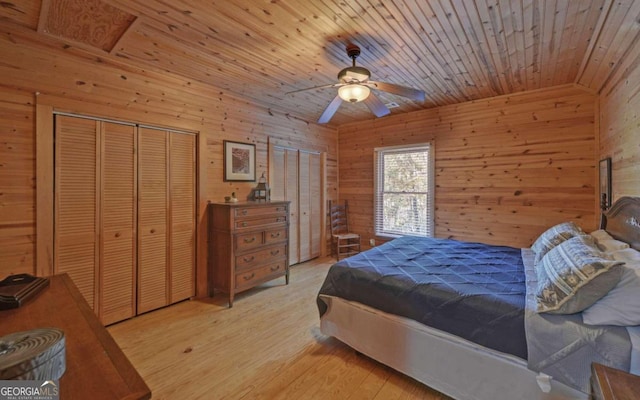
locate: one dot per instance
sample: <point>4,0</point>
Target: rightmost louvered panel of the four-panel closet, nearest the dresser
<point>182,216</point>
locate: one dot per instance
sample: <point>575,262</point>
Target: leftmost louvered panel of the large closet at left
<point>75,216</point>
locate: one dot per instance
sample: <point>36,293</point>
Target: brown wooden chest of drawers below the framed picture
<point>248,245</point>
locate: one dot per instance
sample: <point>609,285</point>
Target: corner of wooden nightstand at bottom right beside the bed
<point>612,384</point>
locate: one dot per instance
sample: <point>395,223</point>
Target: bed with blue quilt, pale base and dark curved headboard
<point>464,318</point>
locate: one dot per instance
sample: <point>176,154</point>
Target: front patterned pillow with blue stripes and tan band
<point>574,275</point>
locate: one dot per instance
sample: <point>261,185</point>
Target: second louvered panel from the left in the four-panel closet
<point>118,222</point>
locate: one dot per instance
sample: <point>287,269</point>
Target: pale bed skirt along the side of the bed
<point>451,365</point>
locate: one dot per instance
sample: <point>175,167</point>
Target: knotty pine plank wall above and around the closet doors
<point>114,89</point>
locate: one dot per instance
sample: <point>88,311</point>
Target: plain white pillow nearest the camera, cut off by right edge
<point>621,306</point>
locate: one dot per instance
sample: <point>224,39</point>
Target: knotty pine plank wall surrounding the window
<point>507,167</point>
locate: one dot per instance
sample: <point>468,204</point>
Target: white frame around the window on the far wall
<point>378,180</point>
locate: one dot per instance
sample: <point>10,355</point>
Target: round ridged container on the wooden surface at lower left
<point>37,354</point>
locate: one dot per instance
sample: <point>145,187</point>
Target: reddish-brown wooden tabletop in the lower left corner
<point>96,367</point>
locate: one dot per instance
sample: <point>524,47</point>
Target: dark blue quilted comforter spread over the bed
<point>472,290</point>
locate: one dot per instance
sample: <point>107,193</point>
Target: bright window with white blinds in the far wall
<point>404,190</point>
